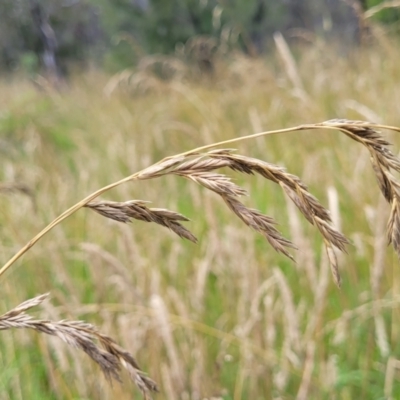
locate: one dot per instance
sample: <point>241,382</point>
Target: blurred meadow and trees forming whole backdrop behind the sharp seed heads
<point>91,92</point>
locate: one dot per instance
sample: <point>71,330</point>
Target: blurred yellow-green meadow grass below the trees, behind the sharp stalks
<point>228,317</point>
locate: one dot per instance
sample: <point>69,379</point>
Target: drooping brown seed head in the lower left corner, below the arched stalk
<point>83,336</point>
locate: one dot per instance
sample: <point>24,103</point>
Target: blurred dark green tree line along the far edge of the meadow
<point>57,33</point>
